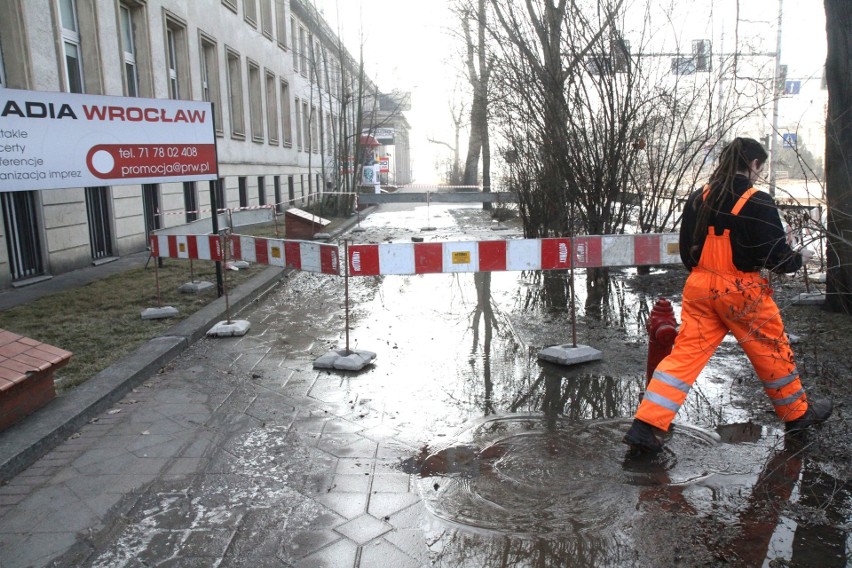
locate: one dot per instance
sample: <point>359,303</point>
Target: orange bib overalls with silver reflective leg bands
<point>718,298</point>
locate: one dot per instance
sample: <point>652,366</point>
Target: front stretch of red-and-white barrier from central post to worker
<point>514,254</point>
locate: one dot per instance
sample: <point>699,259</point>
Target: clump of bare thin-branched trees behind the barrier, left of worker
<point>601,137</point>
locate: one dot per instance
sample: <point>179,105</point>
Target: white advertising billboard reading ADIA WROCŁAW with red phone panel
<point>51,140</point>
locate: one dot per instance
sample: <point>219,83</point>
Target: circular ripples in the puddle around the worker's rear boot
<point>544,478</point>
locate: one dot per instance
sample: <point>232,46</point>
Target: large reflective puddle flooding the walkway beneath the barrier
<point>522,462</point>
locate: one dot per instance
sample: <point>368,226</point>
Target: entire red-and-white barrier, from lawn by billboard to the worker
<point>426,258</point>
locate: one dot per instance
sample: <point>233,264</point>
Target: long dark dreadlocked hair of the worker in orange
<point>736,157</point>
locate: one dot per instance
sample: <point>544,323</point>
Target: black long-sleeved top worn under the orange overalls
<point>758,239</point>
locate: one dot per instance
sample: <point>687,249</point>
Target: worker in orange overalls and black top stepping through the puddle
<point>730,231</point>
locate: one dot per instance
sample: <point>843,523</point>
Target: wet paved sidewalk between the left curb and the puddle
<point>237,454</point>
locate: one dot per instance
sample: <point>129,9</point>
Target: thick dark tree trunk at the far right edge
<point>838,155</point>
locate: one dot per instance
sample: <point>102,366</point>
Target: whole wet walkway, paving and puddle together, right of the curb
<point>456,449</point>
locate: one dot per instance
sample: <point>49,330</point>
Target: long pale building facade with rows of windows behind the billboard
<point>276,75</point>
